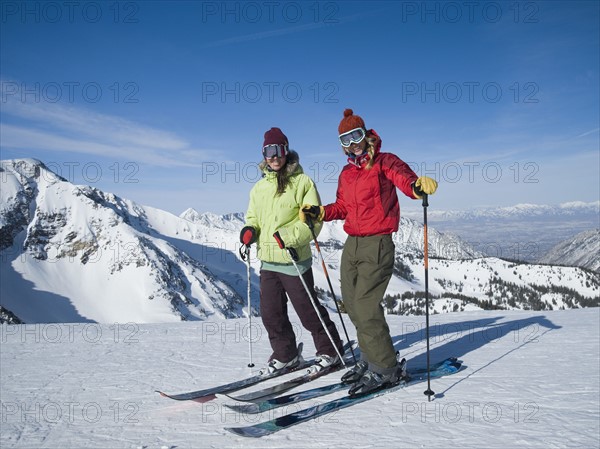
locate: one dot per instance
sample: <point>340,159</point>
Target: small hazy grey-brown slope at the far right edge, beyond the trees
<point>582,250</point>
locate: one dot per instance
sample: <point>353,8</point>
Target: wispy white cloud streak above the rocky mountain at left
<point>56,127</point>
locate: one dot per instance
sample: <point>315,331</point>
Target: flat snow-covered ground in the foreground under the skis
<point>532,379</point>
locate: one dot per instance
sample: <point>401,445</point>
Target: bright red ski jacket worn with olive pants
<point>366,198</point>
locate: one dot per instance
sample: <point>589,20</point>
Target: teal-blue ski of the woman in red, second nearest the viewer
<point>270,404</point>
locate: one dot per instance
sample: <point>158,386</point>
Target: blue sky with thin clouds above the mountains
<point>166,103</point>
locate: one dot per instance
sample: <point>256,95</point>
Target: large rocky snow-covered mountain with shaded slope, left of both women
<point>75,253</point>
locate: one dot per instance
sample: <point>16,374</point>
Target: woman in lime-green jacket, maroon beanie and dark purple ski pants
<point>273,222</point>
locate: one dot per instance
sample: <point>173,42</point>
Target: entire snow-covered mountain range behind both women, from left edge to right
<point>75,254</point>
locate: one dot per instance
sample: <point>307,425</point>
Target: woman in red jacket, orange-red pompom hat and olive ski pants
<point>366,200</point>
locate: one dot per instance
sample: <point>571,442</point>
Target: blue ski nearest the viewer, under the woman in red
<point>274,425</point>
